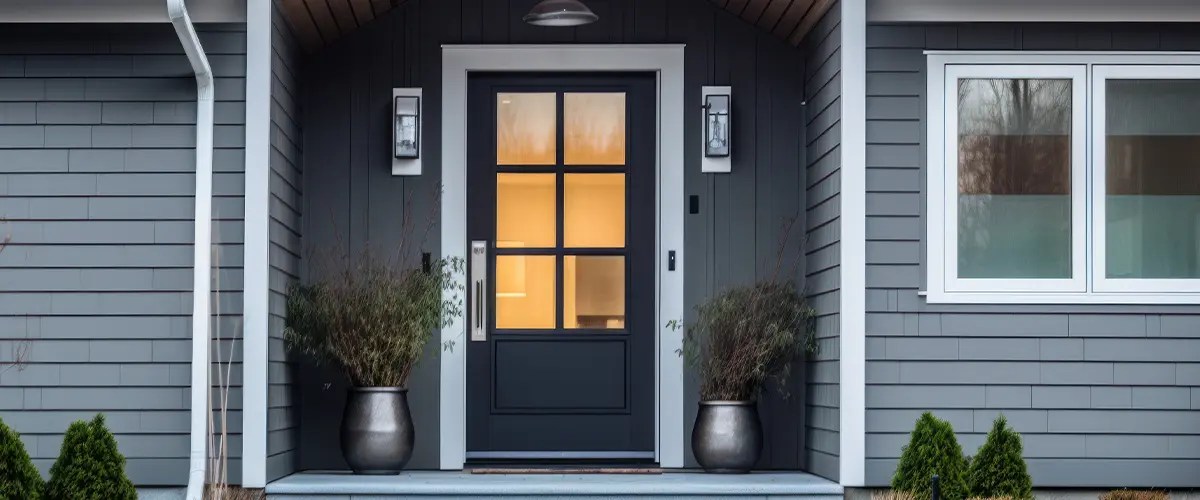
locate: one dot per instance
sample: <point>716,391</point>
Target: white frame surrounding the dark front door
<point>668,62</point>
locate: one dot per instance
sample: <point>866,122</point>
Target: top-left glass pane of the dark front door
<point>526,129</point>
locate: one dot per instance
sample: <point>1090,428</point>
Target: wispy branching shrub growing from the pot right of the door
<point>748,334</point>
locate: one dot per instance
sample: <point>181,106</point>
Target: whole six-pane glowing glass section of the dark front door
<point>571,215</point>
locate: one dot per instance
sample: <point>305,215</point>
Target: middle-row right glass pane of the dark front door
<point>595,210</point>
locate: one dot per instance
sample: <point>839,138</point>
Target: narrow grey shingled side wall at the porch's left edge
<point>286,201</point>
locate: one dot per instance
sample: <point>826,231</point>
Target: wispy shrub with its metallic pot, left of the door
<point>371,315</point>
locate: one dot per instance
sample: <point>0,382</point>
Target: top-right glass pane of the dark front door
<point>595,129</point>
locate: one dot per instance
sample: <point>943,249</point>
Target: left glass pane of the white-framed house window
<point>1015,178</point>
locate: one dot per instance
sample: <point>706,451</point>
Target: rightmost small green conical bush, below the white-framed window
<point>999,469</point>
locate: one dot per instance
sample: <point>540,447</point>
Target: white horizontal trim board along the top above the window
<point>1048,11</point>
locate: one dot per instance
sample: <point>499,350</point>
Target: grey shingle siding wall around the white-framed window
<point>1106,396</point>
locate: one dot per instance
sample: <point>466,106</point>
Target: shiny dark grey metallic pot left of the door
<point>377,431</point>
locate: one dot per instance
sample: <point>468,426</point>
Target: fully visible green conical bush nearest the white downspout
<point>89,466</point>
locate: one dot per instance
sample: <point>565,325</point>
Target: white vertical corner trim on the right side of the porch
<point>853,314</point>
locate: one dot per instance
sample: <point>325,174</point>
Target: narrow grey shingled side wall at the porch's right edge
<point>823,184</point>
